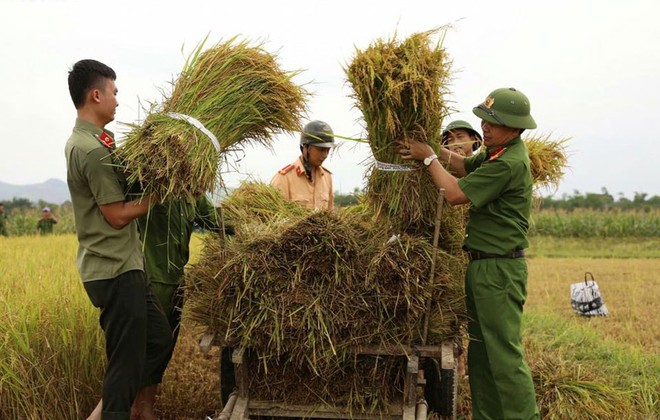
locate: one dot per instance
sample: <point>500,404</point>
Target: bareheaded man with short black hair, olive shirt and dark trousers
<point>110,259</point>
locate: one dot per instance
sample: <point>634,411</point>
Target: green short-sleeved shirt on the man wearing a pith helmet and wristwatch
<point>499,188</point>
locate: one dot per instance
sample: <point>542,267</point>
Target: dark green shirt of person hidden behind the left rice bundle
<point>166,232</point>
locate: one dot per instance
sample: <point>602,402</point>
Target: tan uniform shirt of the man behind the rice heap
<point>295,186</point>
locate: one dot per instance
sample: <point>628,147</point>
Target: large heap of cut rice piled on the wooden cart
<point>307,288</point>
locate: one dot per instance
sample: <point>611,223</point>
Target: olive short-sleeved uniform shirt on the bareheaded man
<point>103,252</point>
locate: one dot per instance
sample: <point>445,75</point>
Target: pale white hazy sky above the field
<point>591,70</point>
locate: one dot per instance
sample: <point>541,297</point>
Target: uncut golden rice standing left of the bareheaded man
<point>51,348</point>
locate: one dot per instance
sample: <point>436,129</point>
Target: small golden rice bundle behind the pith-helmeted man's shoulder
<point>547,160</point>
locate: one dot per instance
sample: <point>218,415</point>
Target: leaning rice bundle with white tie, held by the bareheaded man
<point>238,92</point>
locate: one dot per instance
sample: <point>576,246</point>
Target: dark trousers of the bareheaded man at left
<point>137,338</point>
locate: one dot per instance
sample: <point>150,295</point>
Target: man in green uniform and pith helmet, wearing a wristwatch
<point>497,184</point>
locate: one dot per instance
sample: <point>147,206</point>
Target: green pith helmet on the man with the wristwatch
<point>508,107</point>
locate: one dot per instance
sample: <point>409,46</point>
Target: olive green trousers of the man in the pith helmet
<point>500,380</point>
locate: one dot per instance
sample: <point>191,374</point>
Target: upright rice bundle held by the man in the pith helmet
<point>398,86</point>
